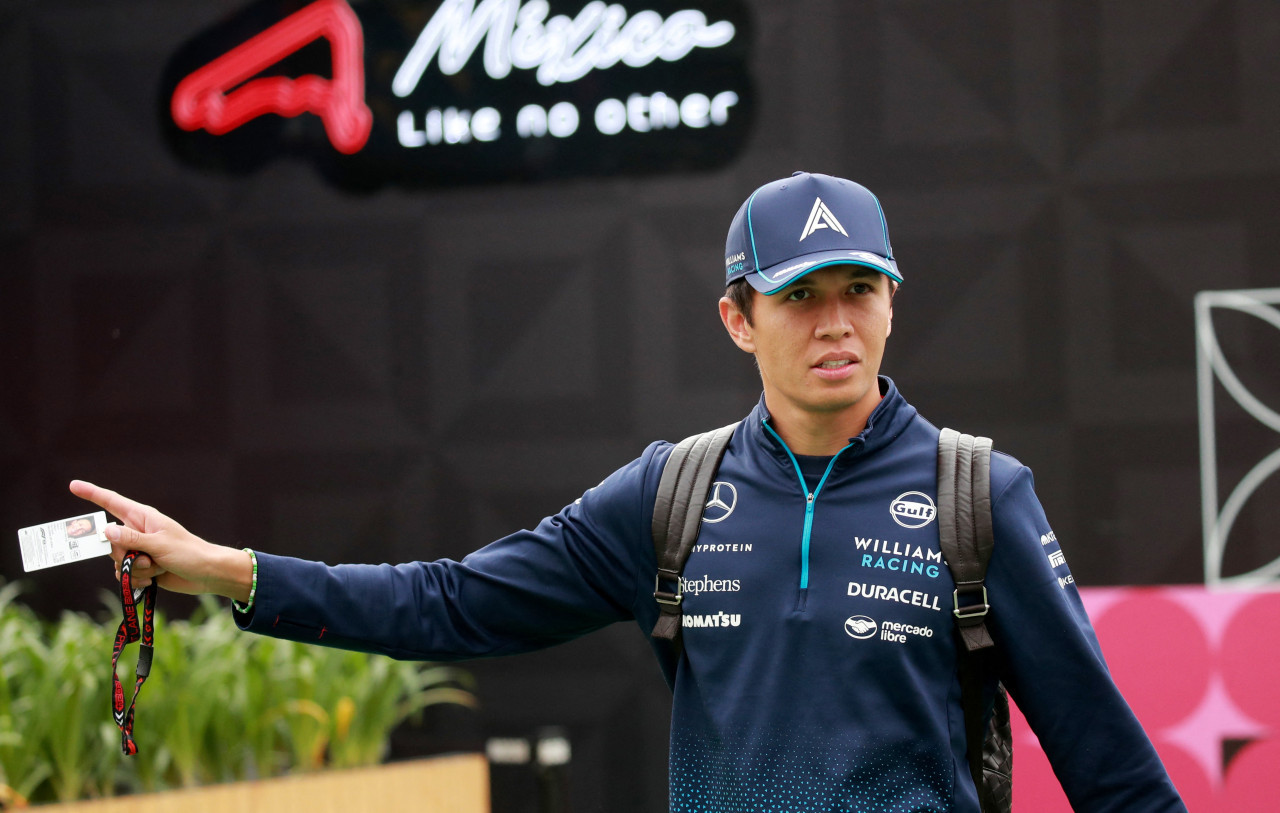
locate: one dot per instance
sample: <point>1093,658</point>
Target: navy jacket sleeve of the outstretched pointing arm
<point>578,572</point>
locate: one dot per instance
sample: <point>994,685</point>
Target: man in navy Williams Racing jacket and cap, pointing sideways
<point>819,669</point>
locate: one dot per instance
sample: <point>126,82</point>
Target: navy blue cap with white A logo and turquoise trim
<point>798,225</point>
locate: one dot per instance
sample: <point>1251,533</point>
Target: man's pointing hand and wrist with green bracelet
<point>175,558</point>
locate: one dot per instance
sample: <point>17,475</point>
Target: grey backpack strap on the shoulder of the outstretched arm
<point>678,517</point>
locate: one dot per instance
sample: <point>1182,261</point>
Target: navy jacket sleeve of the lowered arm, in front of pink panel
<point>1055,670</point>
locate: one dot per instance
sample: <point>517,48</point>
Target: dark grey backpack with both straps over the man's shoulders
<point>967,541</point>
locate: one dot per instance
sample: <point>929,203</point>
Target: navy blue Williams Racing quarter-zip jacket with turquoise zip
<point>820,666</point>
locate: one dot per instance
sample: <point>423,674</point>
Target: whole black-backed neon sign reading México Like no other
<point>464,92</point>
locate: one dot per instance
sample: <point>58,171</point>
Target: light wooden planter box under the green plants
<point>458,784</point>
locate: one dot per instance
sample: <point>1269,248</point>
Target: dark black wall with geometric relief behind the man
<point>412,374</point>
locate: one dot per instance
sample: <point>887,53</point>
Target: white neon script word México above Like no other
<point>560,49</point>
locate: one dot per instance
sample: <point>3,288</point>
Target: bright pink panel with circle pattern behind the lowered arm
<point>1199,669</point>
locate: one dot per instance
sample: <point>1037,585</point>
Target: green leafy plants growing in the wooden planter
<point>220,705</point>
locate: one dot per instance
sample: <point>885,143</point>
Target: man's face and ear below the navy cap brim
<point>820,341</point>
